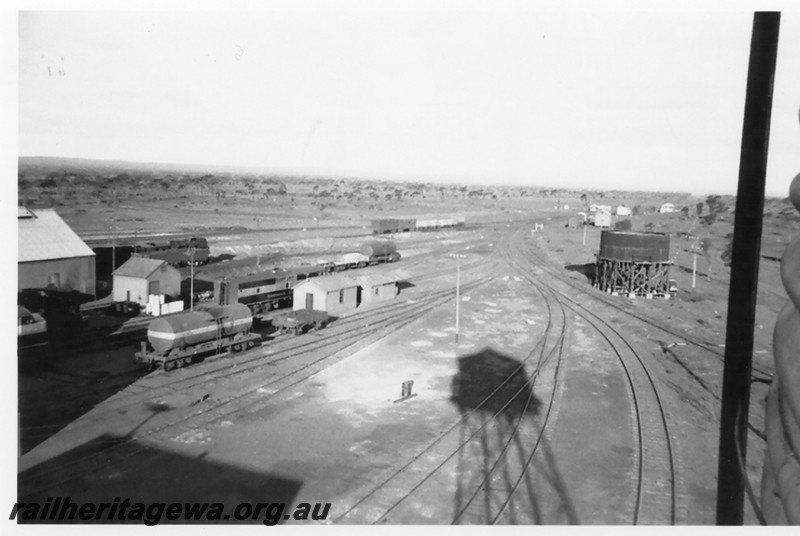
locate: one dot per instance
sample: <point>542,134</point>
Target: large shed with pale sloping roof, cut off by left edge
<point>51,254</point>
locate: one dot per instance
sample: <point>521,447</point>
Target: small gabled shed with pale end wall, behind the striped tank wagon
<point>139,278</point>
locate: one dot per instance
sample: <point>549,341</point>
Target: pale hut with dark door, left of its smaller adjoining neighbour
<point>334,294</point>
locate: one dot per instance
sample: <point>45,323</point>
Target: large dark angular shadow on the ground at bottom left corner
<point>112,469</point>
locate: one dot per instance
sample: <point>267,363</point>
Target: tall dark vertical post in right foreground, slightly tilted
<point>744,269</point>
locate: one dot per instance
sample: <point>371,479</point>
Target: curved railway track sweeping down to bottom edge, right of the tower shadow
<point>655,482</point>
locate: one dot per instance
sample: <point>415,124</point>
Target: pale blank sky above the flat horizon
<point>611,99</point>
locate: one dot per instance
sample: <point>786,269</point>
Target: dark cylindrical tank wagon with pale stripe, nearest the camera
<point>183,338</point>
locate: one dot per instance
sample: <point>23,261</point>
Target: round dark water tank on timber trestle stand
<point>633,263</point>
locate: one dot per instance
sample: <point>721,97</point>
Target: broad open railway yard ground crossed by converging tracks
<point>536,398</point>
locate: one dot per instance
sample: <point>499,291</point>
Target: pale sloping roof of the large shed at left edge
<point>43,235</point>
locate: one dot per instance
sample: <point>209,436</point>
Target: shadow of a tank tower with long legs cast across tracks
<point>501,427</point>
